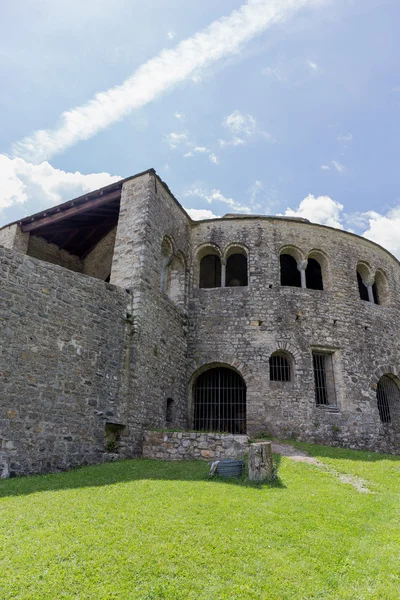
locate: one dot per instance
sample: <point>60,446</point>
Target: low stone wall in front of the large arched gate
<point>174,445</point>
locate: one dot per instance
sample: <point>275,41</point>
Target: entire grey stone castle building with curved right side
<point>119,315</point>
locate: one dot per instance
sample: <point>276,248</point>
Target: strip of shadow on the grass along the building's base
<point>125,471</point>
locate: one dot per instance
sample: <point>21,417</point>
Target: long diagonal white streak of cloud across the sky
<point>223,37</point>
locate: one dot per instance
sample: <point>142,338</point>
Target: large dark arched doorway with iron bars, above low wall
<point>219,396</point>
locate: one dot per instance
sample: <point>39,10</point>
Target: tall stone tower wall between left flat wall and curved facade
<point>148,213</point>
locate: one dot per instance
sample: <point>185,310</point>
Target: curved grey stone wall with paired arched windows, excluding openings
<point>242,326</point>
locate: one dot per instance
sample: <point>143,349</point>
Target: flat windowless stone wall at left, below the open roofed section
<point>62,362</point>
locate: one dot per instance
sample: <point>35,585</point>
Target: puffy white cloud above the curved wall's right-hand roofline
<point>320,209</point>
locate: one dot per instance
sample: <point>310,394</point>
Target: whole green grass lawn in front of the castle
<point>151,530</point>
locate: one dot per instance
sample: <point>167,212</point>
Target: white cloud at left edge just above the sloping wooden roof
<point>40,186</point>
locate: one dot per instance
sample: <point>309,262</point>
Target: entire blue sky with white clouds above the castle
<point>265,106</point>
